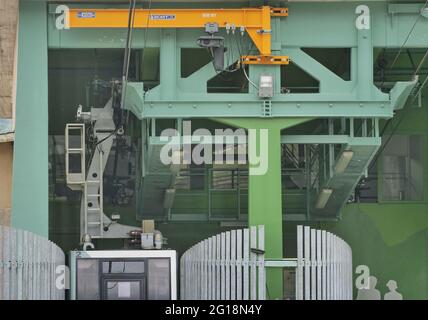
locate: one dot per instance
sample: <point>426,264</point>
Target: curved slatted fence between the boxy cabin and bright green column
<point>228,266</point>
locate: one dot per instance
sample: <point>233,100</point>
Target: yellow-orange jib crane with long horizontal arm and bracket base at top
<point>255,21</point>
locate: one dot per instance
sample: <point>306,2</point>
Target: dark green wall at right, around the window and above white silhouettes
<point>389,237</point>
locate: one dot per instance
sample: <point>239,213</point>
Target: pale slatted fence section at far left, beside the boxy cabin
<point>28,265</point>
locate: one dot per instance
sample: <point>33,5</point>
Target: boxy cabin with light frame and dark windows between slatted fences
<point>124,275</point>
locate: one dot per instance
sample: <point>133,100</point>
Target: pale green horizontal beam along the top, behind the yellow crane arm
<point>390,26</point>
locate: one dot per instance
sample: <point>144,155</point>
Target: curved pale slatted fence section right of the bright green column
<point>324,266</point>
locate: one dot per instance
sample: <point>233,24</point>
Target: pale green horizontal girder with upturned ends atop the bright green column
<point>241,105</point>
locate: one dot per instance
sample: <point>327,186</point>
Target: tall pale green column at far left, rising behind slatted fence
<point>30,167</point>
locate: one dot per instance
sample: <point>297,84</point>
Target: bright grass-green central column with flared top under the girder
<point>265,190</point>
